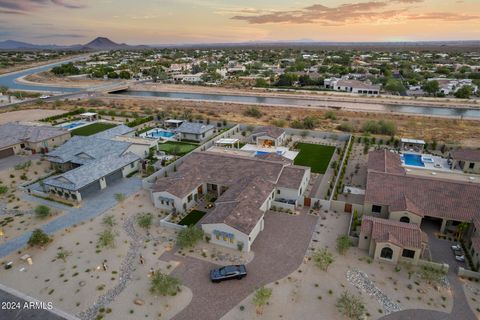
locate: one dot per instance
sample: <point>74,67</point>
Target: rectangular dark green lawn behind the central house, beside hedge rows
<point>314,156</point>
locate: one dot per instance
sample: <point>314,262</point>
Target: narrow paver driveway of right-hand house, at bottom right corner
<point>441,252</point>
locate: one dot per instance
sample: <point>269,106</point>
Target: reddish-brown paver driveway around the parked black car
<point>279,250</point>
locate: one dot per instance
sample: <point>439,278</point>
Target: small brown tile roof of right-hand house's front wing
<point>395,232</point>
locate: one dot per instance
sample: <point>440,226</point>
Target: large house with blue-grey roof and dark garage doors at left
<point>90,164</point>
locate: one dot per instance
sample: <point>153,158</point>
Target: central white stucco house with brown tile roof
<point>244,188</point>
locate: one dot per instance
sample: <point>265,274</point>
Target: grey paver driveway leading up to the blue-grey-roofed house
<point>92,207</point>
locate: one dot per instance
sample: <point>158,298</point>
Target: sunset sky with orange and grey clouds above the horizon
<point>200,21</point>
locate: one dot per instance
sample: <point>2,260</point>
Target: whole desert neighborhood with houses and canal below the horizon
<point>336,182</point>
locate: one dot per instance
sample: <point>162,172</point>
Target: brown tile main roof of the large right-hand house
<point>387,184</point>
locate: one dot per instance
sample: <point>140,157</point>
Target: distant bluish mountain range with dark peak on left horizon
<point>98,44</point>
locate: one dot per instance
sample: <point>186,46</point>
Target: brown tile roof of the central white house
<point>250,182</point>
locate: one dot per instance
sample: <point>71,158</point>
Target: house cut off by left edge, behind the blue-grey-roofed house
<point>15,138</point>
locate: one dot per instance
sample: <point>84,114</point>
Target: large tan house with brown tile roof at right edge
<point>395,198</point>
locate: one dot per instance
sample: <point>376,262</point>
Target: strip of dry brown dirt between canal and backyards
<point>451,131</point>
